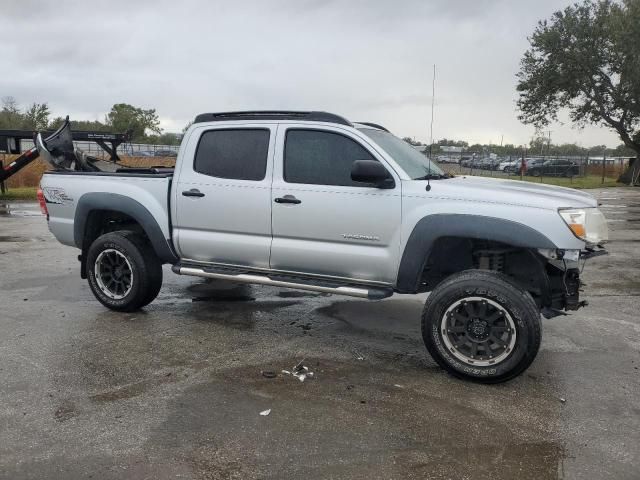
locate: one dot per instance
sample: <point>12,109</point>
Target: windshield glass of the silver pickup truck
<point>414,163</point>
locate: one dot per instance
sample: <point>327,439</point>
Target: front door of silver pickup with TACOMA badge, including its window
<point>323,222</point>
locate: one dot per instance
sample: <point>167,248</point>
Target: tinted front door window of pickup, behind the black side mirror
<point>321,158</point>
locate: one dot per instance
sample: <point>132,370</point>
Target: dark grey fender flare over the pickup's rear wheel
<point>119,203</point>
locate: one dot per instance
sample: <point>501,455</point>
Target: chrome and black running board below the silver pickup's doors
<point>282,280</point>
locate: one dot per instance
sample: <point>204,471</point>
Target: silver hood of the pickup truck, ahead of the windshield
<point>512,192</point>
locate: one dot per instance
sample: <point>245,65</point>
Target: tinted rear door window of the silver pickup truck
<point>239,154</point>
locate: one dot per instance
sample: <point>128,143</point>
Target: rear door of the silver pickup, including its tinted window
<point>222,195</point>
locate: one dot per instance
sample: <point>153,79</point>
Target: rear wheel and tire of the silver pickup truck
<point>123,271</point>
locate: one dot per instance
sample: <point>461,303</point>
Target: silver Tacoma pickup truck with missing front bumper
<point>309,200</point>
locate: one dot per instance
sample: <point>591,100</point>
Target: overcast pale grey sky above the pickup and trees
<point>369,60</point>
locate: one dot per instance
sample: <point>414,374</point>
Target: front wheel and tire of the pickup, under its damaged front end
<point>504,324</point>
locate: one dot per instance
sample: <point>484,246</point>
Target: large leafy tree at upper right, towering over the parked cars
<point>585,59</point>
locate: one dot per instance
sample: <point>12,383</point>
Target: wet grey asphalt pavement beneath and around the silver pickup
<point>175,391</point>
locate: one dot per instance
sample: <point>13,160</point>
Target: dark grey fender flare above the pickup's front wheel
<point>432,227</point>
